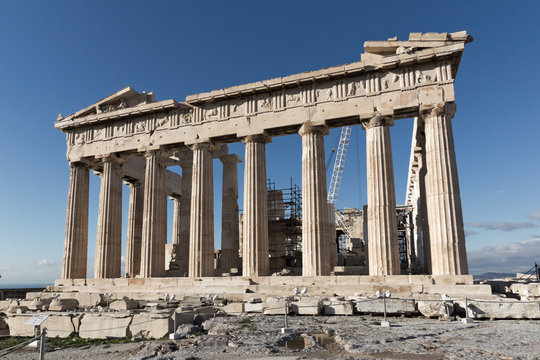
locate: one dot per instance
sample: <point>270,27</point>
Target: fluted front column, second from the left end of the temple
<point>109,227</point>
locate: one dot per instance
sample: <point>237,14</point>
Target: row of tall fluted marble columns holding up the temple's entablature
<point>447,243</point>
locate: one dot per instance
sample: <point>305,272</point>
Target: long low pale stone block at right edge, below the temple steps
<point>499,309</point>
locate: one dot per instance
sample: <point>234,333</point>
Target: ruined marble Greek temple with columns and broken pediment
<point>129,137</point>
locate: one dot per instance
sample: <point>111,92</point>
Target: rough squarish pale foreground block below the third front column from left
<point>151,325</point>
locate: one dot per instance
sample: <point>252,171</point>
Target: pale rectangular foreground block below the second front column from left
<point>102,326</point>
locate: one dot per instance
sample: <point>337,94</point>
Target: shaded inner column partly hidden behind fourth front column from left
<point>182,249</point>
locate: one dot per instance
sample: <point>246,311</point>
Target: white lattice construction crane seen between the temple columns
<point>337,176</point>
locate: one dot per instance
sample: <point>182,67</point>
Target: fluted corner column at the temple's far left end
<point>76,241</point>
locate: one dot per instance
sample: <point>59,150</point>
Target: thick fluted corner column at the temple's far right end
<point>446,233</point>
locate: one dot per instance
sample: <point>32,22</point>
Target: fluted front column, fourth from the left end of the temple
<point>201,240</point>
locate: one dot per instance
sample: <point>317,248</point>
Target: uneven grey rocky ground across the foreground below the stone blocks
<point>326,337</point>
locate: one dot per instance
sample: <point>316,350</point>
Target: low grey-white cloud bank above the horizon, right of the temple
<point>511,257</point>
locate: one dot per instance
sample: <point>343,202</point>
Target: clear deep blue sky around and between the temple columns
<point>61,56</point>
